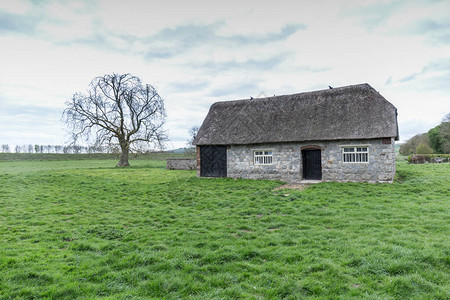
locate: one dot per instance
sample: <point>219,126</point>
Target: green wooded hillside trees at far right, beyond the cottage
<point>436,140</point>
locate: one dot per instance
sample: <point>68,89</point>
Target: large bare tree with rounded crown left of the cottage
<point>117,109</point>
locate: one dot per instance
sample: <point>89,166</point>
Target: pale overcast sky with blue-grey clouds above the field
<point>198,52</point>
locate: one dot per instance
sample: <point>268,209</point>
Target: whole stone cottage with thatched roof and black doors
<point>337,134</point>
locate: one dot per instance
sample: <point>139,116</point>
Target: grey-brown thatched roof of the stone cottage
<point>350,112</point>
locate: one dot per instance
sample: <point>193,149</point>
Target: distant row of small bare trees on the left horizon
<point>74,149</point>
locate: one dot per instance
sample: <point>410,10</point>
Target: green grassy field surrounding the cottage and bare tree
<point>82,228</point>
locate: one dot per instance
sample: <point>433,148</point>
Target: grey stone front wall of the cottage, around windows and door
<point>287,161</point>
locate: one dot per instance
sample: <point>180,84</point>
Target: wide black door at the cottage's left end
<point>213,161</point>
